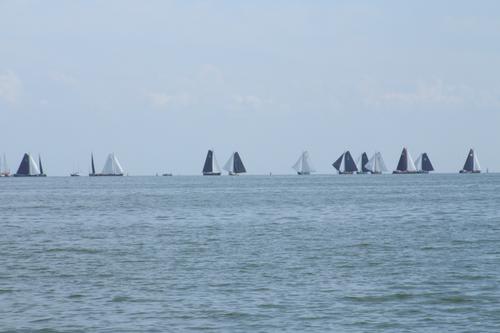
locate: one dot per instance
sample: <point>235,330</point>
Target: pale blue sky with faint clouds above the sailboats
<point>160,82</point>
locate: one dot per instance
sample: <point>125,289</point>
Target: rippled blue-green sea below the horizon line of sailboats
<point>247,254</point>
